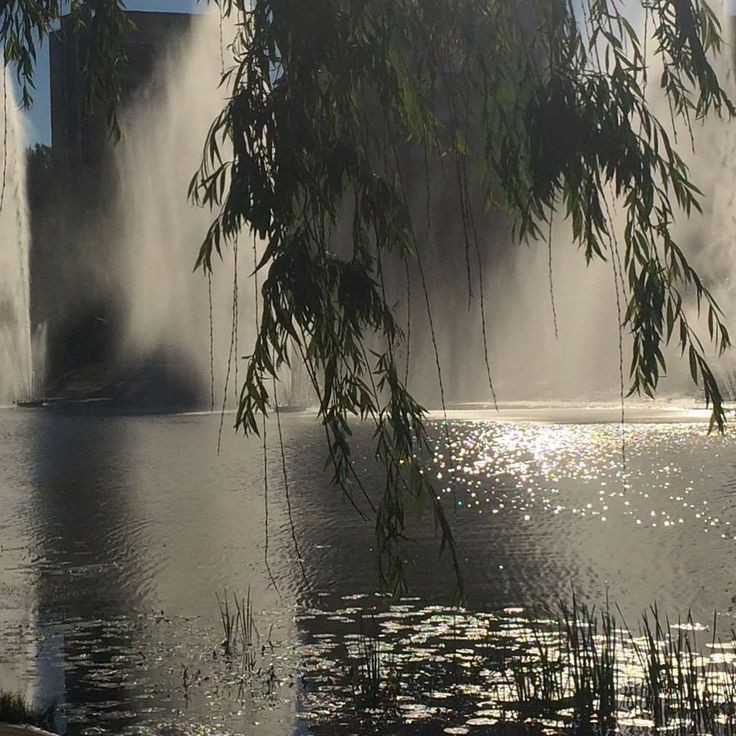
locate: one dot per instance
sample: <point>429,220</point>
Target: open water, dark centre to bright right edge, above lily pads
<point>539,509</point>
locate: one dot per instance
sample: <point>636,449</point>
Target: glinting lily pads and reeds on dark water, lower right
<point>397,669</point>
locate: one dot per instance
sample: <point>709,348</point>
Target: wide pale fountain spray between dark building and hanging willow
<point>171,319</point>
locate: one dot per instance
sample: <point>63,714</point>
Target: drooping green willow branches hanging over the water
<point>549,100</point>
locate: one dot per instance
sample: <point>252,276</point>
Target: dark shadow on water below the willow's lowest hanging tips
<point>507,558</point>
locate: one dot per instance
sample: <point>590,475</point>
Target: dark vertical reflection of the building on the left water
<point>84,579</point>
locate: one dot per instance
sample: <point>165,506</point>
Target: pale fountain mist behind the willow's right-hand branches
<point>554,322</point>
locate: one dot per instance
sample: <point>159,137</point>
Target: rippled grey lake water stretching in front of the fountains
<point>118,532</point>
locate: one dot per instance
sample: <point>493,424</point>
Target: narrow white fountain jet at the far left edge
<point>16,362</point>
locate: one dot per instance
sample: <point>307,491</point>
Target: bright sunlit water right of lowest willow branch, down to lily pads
<point>570,514</point>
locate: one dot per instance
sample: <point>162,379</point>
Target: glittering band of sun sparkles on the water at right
<point>520,469</point>
